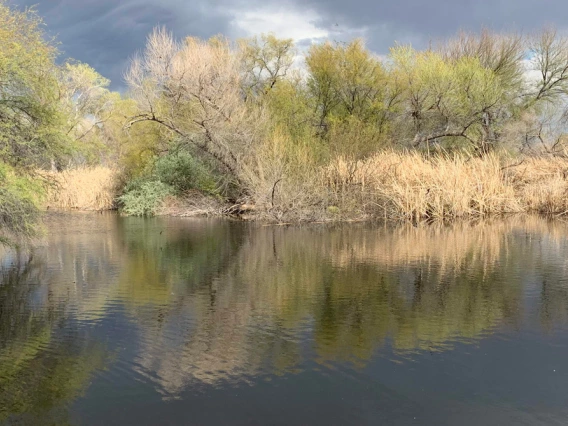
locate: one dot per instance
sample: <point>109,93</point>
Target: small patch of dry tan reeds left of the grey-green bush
<point>89,188</point>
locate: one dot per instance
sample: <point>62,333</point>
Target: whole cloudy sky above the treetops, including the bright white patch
<point>107,33</point>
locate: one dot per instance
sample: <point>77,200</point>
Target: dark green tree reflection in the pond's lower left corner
<point>41,369</point>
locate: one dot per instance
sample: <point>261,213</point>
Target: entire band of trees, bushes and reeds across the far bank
<point>338,134</point>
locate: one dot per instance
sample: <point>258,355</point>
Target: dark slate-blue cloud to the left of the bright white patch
<point>106,33</point>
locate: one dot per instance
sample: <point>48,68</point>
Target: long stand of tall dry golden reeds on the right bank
<point>411,186</point>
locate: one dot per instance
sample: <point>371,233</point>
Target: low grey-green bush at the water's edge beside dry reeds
<point>143,197</point>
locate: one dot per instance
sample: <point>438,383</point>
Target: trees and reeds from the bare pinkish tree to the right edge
<point>351,136</point>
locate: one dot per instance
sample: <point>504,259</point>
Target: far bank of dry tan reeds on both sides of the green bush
<point>388,185</point>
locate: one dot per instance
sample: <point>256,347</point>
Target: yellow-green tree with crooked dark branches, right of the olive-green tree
<point>457,100</point>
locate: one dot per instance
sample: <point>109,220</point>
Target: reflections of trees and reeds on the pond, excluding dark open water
<point>182,304</point>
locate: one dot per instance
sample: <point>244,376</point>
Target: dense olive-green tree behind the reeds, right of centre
<point>350,89</point>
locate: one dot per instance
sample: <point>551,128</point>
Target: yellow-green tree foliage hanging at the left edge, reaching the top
<point>30,118</point>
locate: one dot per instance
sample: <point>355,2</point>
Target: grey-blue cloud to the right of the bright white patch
<point>421,21</point>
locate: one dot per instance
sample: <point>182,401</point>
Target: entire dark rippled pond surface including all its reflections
<point>125,321</point>
